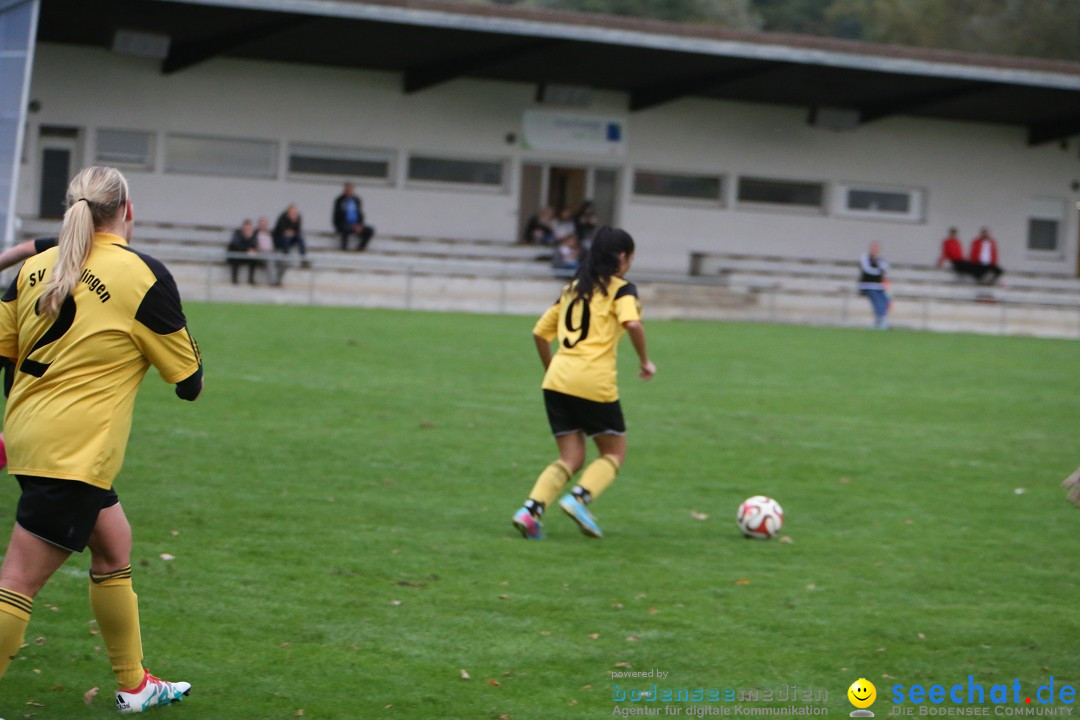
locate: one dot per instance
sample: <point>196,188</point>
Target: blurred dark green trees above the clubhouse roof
<point>1038,29</point>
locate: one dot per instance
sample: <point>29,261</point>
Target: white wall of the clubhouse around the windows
<point>973,174</point>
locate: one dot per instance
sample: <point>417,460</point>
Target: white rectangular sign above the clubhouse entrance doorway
<point>574,133</point>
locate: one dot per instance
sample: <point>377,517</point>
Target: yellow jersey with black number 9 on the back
<point>588,333</point>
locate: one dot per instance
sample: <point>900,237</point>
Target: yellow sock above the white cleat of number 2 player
<point>116,609</point>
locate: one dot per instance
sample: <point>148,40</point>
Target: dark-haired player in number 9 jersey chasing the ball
<point>579,386</point>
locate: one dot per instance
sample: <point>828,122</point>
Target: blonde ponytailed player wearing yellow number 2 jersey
<point>83,323</point>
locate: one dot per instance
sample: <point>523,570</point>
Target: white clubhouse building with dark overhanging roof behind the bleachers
<point>460,121</point>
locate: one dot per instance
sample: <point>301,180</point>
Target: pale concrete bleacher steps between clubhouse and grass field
<point>470,276</point>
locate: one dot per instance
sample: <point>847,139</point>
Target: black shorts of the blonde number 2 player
<point>61,512</point>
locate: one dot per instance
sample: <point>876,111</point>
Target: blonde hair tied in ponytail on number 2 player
<point>94,198</point>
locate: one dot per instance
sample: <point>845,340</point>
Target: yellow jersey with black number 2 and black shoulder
<point>70,412</point>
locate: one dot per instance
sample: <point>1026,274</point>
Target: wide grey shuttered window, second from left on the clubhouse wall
<point>221,156</point>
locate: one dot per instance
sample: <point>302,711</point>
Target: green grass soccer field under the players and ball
<point>337,510</point>
